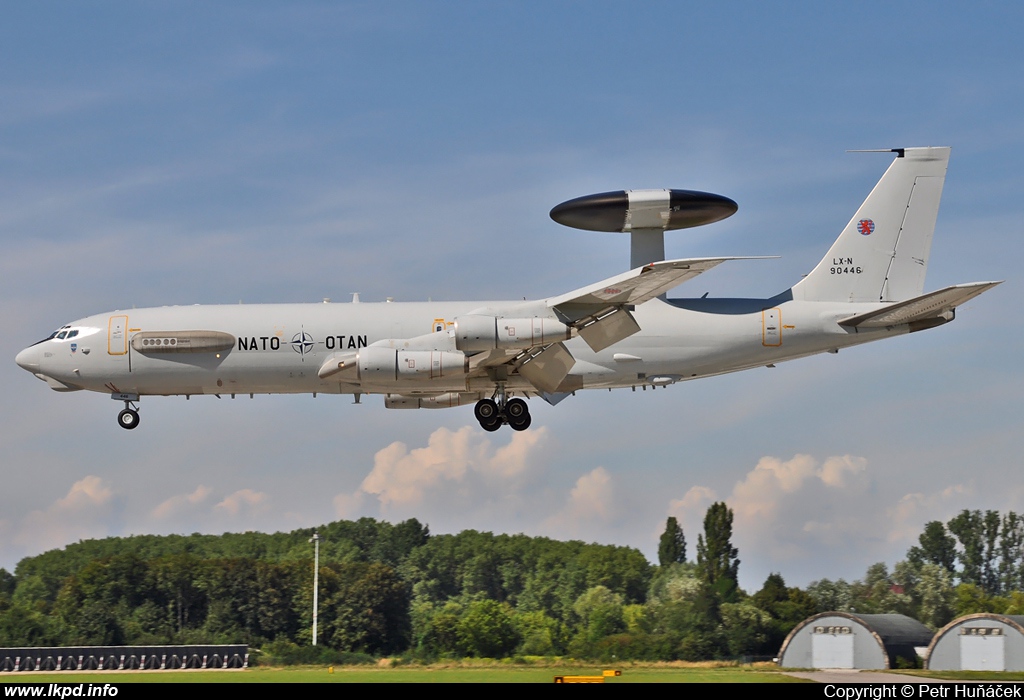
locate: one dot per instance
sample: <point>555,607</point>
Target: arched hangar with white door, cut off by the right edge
<point>979,642</point>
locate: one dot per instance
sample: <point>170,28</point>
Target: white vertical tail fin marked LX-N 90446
<point>882,255</point>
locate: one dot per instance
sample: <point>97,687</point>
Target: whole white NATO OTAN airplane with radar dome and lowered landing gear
<point>621,333</point>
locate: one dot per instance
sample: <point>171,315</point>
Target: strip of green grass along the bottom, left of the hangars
<point>436,674</point>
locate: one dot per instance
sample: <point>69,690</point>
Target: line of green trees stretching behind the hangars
<point>396,589</point>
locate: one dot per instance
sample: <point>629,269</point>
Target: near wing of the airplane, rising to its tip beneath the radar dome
<point>635,287</point>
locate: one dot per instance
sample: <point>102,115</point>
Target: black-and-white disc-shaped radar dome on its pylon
<point>646,215</point>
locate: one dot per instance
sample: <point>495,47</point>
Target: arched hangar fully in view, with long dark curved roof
<point>841,640</point>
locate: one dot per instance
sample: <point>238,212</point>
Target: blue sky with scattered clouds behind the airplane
<point>178,154</point>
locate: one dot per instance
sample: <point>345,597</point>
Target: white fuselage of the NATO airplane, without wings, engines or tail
<point>278,348</point>
